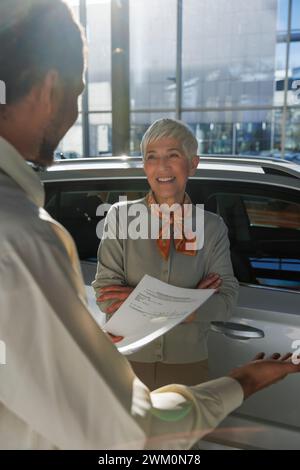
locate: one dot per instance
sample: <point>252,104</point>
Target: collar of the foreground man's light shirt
<point>15,166</point>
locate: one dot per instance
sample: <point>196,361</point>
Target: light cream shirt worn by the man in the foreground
<point>64,384</point>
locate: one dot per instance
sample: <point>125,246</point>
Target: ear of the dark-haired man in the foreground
<point>50,92</point>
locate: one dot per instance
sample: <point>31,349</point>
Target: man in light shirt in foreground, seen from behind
<point>65,385</point>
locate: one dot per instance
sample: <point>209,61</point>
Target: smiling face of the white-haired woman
<point>167,169</point>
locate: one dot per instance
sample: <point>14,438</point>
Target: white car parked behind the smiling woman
<point>259,201</point>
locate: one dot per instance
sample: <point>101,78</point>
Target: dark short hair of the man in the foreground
<point>37,36</point>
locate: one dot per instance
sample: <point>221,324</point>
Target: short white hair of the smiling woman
<point>173,128</point>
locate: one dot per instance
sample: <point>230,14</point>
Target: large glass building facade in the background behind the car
<point>226,67</point>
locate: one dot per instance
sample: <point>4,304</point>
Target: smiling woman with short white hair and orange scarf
<point>169,150</point>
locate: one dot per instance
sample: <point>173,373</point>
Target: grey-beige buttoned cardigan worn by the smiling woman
<point>126,261</point>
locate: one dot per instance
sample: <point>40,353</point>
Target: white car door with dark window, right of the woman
<point>264,230</point>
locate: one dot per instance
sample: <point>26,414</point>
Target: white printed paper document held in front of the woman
<point>152,309</point>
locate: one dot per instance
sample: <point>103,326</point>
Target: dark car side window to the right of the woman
<point>264,234</point>
